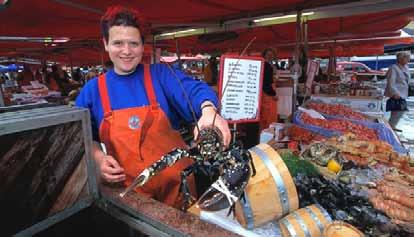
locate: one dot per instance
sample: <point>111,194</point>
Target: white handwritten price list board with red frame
<point>240,88</point>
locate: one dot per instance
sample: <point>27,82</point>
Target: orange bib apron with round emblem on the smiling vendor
<point>139,136</point>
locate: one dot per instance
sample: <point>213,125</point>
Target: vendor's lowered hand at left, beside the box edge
<point>111,171</point>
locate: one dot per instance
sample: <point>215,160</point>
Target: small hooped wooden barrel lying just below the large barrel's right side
<point>309,221</point>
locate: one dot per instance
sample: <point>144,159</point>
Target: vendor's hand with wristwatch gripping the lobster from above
<point>209,114</point>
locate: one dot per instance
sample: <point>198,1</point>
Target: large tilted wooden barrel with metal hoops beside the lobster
<point>270,194</point>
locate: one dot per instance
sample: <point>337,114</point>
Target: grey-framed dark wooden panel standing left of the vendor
<point>43,165</point>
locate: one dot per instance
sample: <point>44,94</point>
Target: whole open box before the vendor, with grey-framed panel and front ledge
<point>48,184</point>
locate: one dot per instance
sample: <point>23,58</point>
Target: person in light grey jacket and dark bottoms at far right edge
<point>398,76</point>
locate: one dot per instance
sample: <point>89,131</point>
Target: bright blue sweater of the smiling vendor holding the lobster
<point>127,91</point>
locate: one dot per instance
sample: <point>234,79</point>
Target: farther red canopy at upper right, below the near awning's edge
<point>384,24</point>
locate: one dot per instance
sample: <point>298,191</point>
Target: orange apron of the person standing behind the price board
<point>268,111</point>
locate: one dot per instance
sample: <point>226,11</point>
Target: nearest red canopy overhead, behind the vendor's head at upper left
<point>80,19</point>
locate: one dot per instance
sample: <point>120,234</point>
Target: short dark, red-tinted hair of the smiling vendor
<point>121,16</point>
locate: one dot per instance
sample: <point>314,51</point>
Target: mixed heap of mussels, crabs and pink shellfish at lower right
<point>377,197</point>
